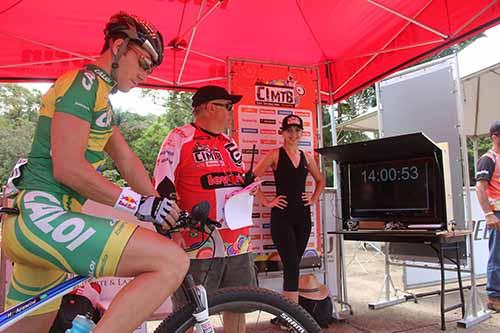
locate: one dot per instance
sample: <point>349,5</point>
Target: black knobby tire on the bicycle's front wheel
<point>244,300</point>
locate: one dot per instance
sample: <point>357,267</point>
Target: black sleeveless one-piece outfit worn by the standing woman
<point>291,227</point>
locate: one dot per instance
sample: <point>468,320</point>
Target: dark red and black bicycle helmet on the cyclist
<point>135,29</point>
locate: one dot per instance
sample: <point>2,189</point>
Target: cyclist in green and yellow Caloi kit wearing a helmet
<point>51,237</point>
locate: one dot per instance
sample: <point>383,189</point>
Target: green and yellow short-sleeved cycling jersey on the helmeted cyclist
<point>83,93</point>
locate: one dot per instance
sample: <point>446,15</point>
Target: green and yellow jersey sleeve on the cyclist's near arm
<point>76,94</point>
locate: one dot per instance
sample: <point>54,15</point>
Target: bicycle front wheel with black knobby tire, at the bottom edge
<point>258,306</point>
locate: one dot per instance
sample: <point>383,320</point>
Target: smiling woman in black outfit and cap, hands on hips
<point>291,208</point>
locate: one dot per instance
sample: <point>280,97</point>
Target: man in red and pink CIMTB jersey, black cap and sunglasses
<point>199,162</point>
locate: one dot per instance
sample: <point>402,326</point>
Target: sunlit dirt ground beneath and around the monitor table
<point>365,277</point>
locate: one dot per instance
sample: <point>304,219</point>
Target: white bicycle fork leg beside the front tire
<point>198,296</point>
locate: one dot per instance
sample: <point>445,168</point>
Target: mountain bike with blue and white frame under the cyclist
<point>202,312</point>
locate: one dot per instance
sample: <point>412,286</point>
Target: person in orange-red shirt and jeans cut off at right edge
<point>488,194</point>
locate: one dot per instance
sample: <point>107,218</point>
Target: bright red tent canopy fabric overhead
<point>354,43</point>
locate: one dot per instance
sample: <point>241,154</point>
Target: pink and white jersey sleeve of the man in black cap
<point>166,164</point>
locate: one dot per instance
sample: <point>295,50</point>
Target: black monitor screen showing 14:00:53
<point>401,188</point>
